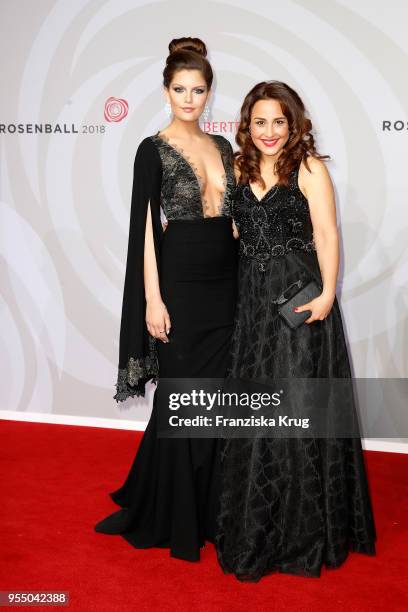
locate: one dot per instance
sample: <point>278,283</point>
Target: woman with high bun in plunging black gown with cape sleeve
<point>178,309</point>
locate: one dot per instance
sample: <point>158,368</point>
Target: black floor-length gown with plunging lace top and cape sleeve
<point>170,496</point>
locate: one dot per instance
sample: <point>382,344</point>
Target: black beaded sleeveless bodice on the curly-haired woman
<point>275,225</point>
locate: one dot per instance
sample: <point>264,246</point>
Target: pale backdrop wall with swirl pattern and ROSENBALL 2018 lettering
<point>82,85</point>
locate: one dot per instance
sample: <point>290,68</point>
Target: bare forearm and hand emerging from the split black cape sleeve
<point>157,316</point>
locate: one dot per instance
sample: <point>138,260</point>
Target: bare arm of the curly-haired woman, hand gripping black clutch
<point>318,188</point>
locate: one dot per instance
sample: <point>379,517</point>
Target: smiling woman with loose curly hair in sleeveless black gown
<point>287,505</point>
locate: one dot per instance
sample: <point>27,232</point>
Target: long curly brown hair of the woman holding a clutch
<point>299,146</point>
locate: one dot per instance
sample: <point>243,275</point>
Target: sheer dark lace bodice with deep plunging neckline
<point>182,187</point>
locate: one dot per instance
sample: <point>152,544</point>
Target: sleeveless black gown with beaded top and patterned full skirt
<point>287,505</point>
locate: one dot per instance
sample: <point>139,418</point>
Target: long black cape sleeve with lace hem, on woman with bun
<point>137,349</point>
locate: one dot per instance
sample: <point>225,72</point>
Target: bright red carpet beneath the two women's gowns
<point>55,483</point>
